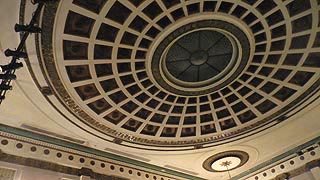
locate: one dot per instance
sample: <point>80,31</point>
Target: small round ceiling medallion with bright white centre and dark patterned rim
<point>225,161</point>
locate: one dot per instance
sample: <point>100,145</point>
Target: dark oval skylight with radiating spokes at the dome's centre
<point>198,56</point>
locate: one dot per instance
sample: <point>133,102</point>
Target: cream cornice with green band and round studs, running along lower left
<point>54,150</point>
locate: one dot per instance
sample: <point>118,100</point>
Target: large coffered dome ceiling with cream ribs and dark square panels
<point>180,73</point>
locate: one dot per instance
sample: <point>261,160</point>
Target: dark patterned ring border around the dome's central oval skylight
<point>218,24</point>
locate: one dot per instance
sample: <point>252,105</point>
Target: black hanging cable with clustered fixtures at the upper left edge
<point>8,70</point>
